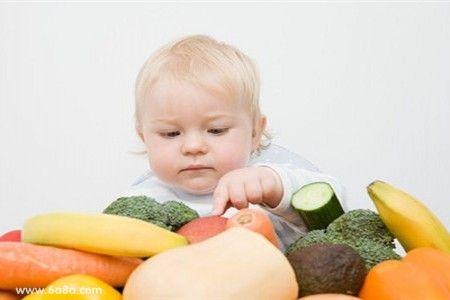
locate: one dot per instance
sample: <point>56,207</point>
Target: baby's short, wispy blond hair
<point>205,62</point>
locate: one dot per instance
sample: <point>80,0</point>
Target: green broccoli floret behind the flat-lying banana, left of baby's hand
<point>170,215</point>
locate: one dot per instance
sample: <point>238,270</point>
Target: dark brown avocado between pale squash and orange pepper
<point>328,268</point>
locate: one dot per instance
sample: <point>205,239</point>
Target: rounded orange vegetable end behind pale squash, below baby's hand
<point>254,220</point>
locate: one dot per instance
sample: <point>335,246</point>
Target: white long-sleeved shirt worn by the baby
<point>293,170</point>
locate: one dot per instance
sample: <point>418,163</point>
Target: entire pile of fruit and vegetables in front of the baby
<point>141,249</point>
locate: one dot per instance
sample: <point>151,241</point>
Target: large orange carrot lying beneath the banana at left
<point>28,265</point>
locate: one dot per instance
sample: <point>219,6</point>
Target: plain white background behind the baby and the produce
<point>360,89</point>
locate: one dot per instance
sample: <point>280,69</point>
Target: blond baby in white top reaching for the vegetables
<point>197,112</point>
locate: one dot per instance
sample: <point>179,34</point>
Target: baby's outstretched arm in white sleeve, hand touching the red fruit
<point>271,189</point>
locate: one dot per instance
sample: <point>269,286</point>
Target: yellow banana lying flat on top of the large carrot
<point>100,233</point>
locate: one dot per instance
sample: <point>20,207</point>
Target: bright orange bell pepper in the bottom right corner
<point>424,273</point>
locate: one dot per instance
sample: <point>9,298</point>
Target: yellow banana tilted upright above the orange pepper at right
<point>408,219</point>
